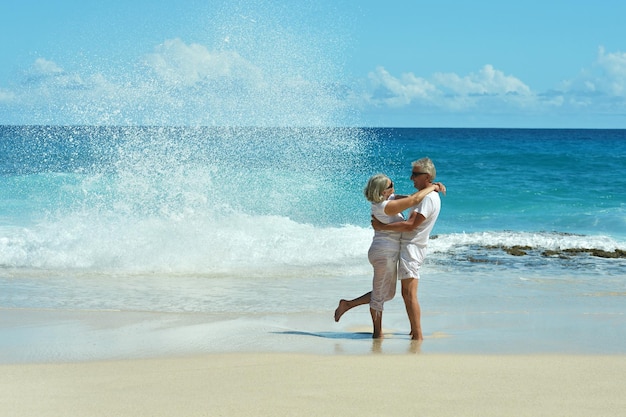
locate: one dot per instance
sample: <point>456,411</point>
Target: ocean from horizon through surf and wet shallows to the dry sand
<point>130,241</point>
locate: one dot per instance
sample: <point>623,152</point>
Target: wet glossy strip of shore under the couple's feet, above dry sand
<point>69,336</point>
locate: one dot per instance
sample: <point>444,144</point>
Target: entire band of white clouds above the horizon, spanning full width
<point>182,83</point>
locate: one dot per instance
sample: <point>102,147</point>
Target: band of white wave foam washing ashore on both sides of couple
<point>237,245</point>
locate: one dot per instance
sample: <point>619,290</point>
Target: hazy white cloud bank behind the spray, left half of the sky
<point>178,84</point>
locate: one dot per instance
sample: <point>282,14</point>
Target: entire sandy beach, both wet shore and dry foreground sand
<point>522,360</point>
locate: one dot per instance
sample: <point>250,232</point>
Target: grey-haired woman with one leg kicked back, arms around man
<point>385,248</point>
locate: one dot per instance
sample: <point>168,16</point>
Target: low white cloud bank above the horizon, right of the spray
<point>598,91</point>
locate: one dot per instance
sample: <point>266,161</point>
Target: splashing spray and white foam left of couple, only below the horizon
<point>194,200</point>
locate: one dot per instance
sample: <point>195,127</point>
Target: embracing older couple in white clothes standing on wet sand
<point>399,246</point>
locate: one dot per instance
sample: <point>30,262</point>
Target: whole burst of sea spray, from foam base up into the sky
<point>211,154</point>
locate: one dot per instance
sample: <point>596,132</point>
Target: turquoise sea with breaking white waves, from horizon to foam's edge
<point>172,191</point>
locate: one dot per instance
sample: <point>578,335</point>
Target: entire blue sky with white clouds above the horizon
<point>544,64</point>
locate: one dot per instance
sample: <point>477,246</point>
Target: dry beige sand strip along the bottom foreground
<point>279,384</point>
